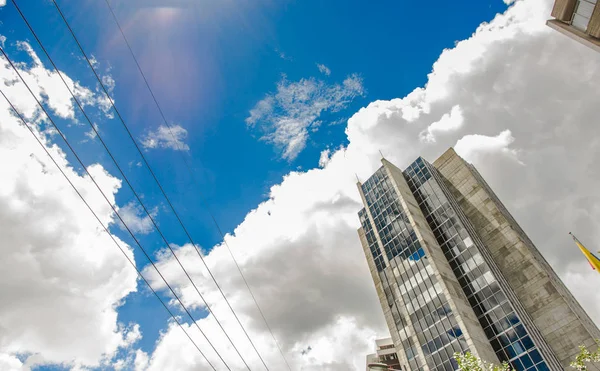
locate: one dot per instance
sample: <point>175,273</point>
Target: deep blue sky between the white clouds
<point>209,65</point>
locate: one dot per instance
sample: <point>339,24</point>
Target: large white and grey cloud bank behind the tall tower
<point>299,249</point>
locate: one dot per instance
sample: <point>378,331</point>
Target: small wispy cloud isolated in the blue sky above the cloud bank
<point>286,116</point>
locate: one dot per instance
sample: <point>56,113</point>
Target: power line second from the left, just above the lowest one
<point>110,204</point>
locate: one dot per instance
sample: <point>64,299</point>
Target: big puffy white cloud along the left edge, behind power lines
<point>61,274</point>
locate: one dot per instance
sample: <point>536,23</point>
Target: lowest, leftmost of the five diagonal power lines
<point>104,226</point>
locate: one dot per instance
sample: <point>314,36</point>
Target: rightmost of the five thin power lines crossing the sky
<point>204,202</point>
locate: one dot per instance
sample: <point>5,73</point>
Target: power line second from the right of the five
<point>158,182</point>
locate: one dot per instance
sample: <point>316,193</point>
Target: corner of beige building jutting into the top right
<point>579,20</point>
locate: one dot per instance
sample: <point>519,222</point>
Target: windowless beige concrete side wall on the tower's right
<point>555,313</point>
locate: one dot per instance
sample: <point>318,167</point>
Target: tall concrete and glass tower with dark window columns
<point>454,272</point>
